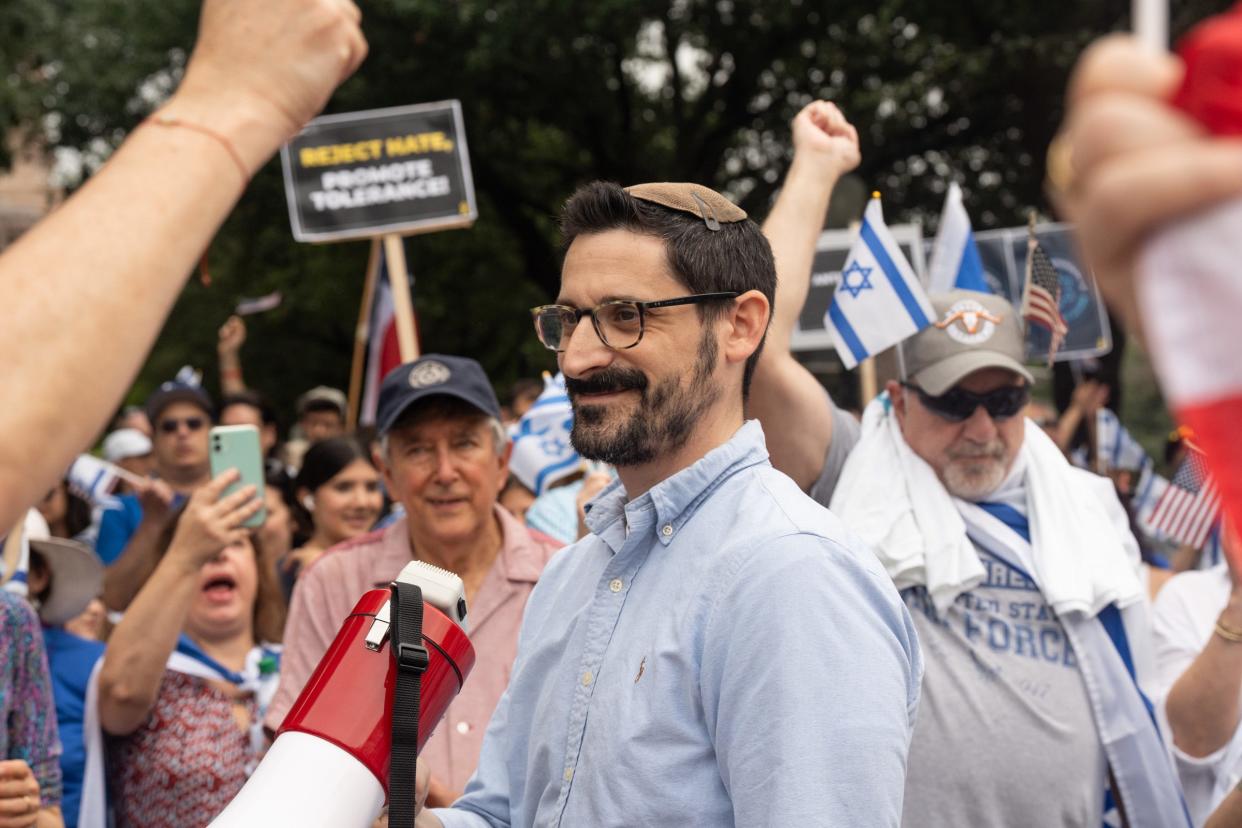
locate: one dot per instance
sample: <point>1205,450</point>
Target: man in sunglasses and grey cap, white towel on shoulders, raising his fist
<point>1020,570</point>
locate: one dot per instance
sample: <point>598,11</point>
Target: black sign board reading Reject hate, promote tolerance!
<point>361,174</point>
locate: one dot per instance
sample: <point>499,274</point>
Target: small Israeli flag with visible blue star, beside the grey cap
<point>880,301</point>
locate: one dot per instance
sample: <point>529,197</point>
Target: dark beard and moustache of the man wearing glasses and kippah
<point>663,423</point>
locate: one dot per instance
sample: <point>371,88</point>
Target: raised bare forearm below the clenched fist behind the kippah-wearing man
<point>793,229</point>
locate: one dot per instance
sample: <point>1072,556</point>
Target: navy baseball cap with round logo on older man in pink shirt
<point>434,374</point>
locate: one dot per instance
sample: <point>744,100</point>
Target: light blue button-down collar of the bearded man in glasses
<point>676,500</point>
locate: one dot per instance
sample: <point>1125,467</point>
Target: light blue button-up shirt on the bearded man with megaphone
<point>718,652</point>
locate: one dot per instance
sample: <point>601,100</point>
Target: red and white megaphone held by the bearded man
<point>330,763</point>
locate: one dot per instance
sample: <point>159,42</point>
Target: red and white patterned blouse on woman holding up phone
<point>186,764</point>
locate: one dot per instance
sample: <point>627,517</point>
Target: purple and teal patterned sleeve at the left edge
<point>27,698</point>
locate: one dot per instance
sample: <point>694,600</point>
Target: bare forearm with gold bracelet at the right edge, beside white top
<point>1203,706</point>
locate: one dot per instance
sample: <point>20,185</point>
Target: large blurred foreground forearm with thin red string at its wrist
<point>111,263</point>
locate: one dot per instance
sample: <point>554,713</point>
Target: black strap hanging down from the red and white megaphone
<point>406,639</point>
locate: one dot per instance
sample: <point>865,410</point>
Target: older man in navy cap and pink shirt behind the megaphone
<point>445,459</point>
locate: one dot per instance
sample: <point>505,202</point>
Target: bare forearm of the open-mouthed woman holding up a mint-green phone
<point>140,647</point>
